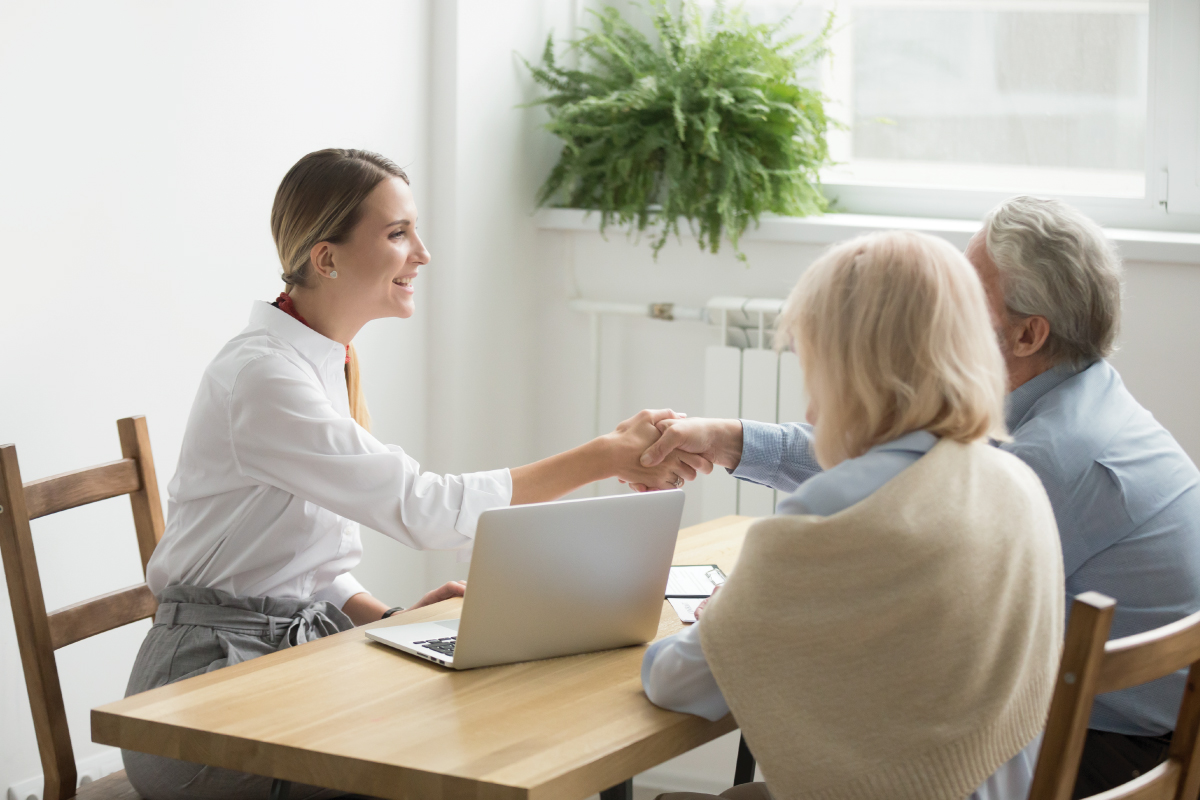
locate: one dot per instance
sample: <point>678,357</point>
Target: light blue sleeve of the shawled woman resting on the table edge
<point>676,677</point>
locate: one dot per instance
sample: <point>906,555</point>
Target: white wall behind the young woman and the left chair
<point>141,148</point>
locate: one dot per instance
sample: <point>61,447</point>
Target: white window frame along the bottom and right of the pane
<point>1173,149</point>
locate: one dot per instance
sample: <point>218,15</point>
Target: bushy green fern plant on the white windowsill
<point>710,124</point>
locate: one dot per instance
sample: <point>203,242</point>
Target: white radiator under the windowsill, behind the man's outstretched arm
<point>747,380</point>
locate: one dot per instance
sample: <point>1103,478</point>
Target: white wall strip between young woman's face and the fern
<point>489,155</point>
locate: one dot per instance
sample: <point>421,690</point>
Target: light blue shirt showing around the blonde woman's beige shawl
<point>675,673</point>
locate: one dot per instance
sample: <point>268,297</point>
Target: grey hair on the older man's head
<point>1057,263</point>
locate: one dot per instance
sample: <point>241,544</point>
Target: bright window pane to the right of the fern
<point>1051,99</point>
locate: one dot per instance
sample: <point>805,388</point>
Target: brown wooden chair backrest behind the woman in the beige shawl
<point>1094,666</point>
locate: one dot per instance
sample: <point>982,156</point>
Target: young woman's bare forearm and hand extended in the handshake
<point>614,455</point>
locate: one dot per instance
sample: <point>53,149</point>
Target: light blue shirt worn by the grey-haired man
<point>1125,495</point>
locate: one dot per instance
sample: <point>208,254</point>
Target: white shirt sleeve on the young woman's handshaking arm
<point>286,434</point>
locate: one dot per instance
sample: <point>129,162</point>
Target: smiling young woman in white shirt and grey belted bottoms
<point>279,467</point>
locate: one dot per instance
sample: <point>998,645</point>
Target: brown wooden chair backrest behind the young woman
<point>40,634</point>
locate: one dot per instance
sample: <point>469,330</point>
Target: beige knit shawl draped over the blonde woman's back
<point>904,648</point>
